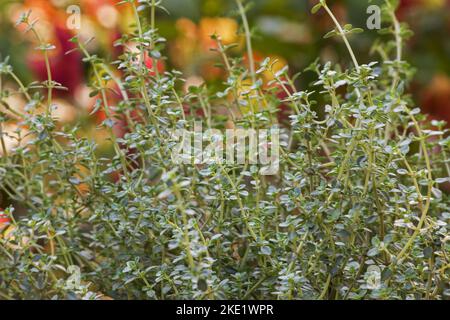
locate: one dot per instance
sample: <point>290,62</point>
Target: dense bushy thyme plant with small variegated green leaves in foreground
<point>357,210</point>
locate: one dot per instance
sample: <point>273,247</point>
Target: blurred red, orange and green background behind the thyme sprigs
<point>283,29</point>
